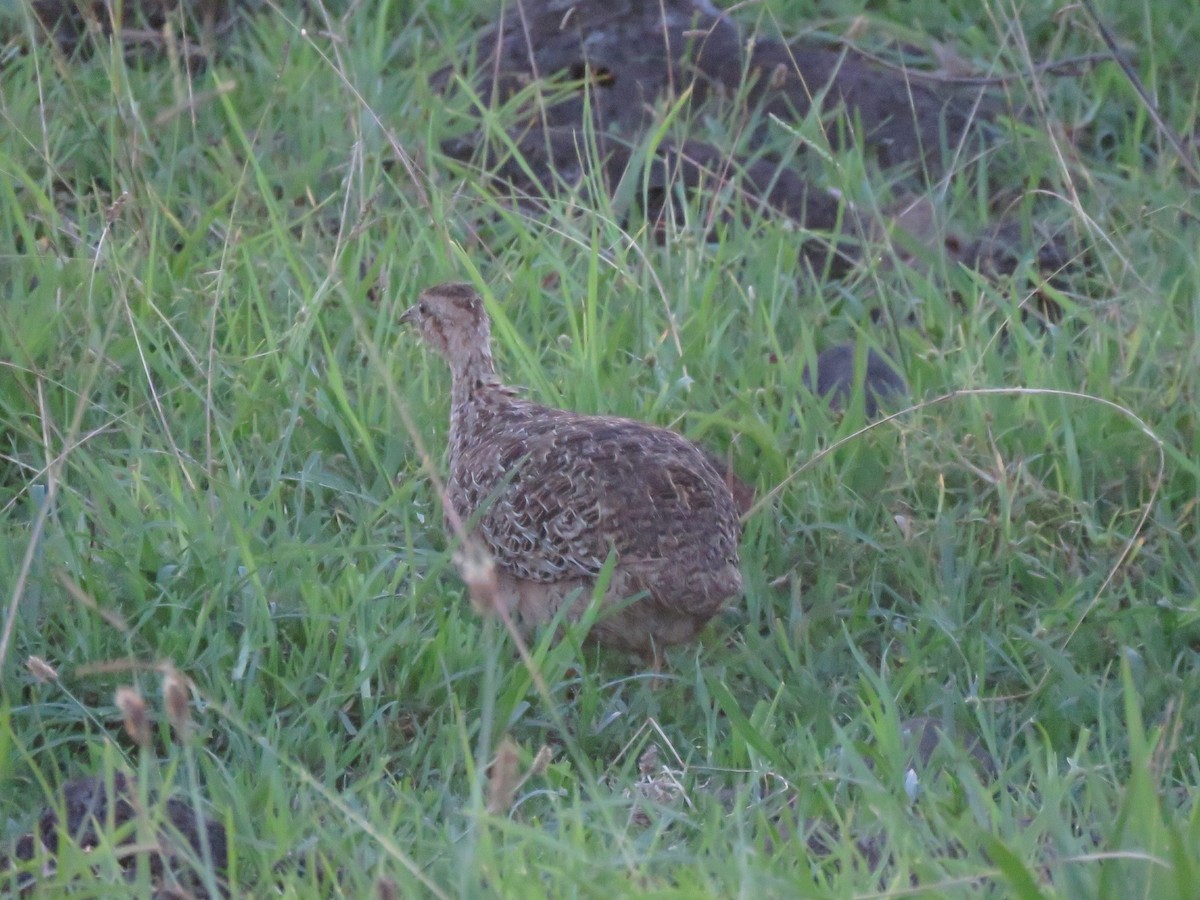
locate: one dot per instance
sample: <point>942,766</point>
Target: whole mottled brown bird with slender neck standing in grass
<point>551,494</point>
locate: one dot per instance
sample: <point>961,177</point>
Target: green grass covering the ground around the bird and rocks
<point>205,463</point>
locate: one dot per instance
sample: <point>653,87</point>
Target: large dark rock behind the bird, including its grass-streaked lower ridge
<point>609,74</point>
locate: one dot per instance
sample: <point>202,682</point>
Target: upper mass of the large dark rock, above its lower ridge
<point>634,58</point>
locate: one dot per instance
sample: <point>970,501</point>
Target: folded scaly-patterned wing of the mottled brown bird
<point>560,493</point>
